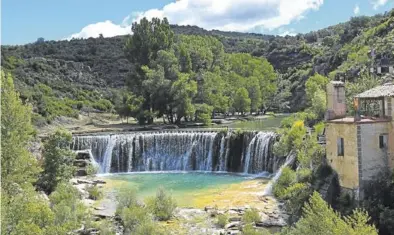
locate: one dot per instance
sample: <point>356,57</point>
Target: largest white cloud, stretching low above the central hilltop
<point>228,15</point>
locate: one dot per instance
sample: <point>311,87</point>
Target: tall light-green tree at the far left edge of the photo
<point>18,166</point>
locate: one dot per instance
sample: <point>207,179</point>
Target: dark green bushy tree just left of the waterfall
<point>58,161</point>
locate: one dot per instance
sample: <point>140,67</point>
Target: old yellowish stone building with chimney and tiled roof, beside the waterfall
<point>360,146</point>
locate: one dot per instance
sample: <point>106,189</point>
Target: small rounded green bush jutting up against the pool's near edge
<point>162,206</point>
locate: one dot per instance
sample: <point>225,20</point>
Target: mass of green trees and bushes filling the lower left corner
<point>24,210</point>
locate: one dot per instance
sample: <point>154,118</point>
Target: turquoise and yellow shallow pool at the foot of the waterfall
<point>194,189</point>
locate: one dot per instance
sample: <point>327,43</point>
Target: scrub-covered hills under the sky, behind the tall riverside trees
<point>63,77</point>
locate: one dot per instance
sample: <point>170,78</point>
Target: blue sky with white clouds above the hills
<point>24,21</point>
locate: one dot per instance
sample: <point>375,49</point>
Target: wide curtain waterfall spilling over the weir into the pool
<point>248,152</point>
